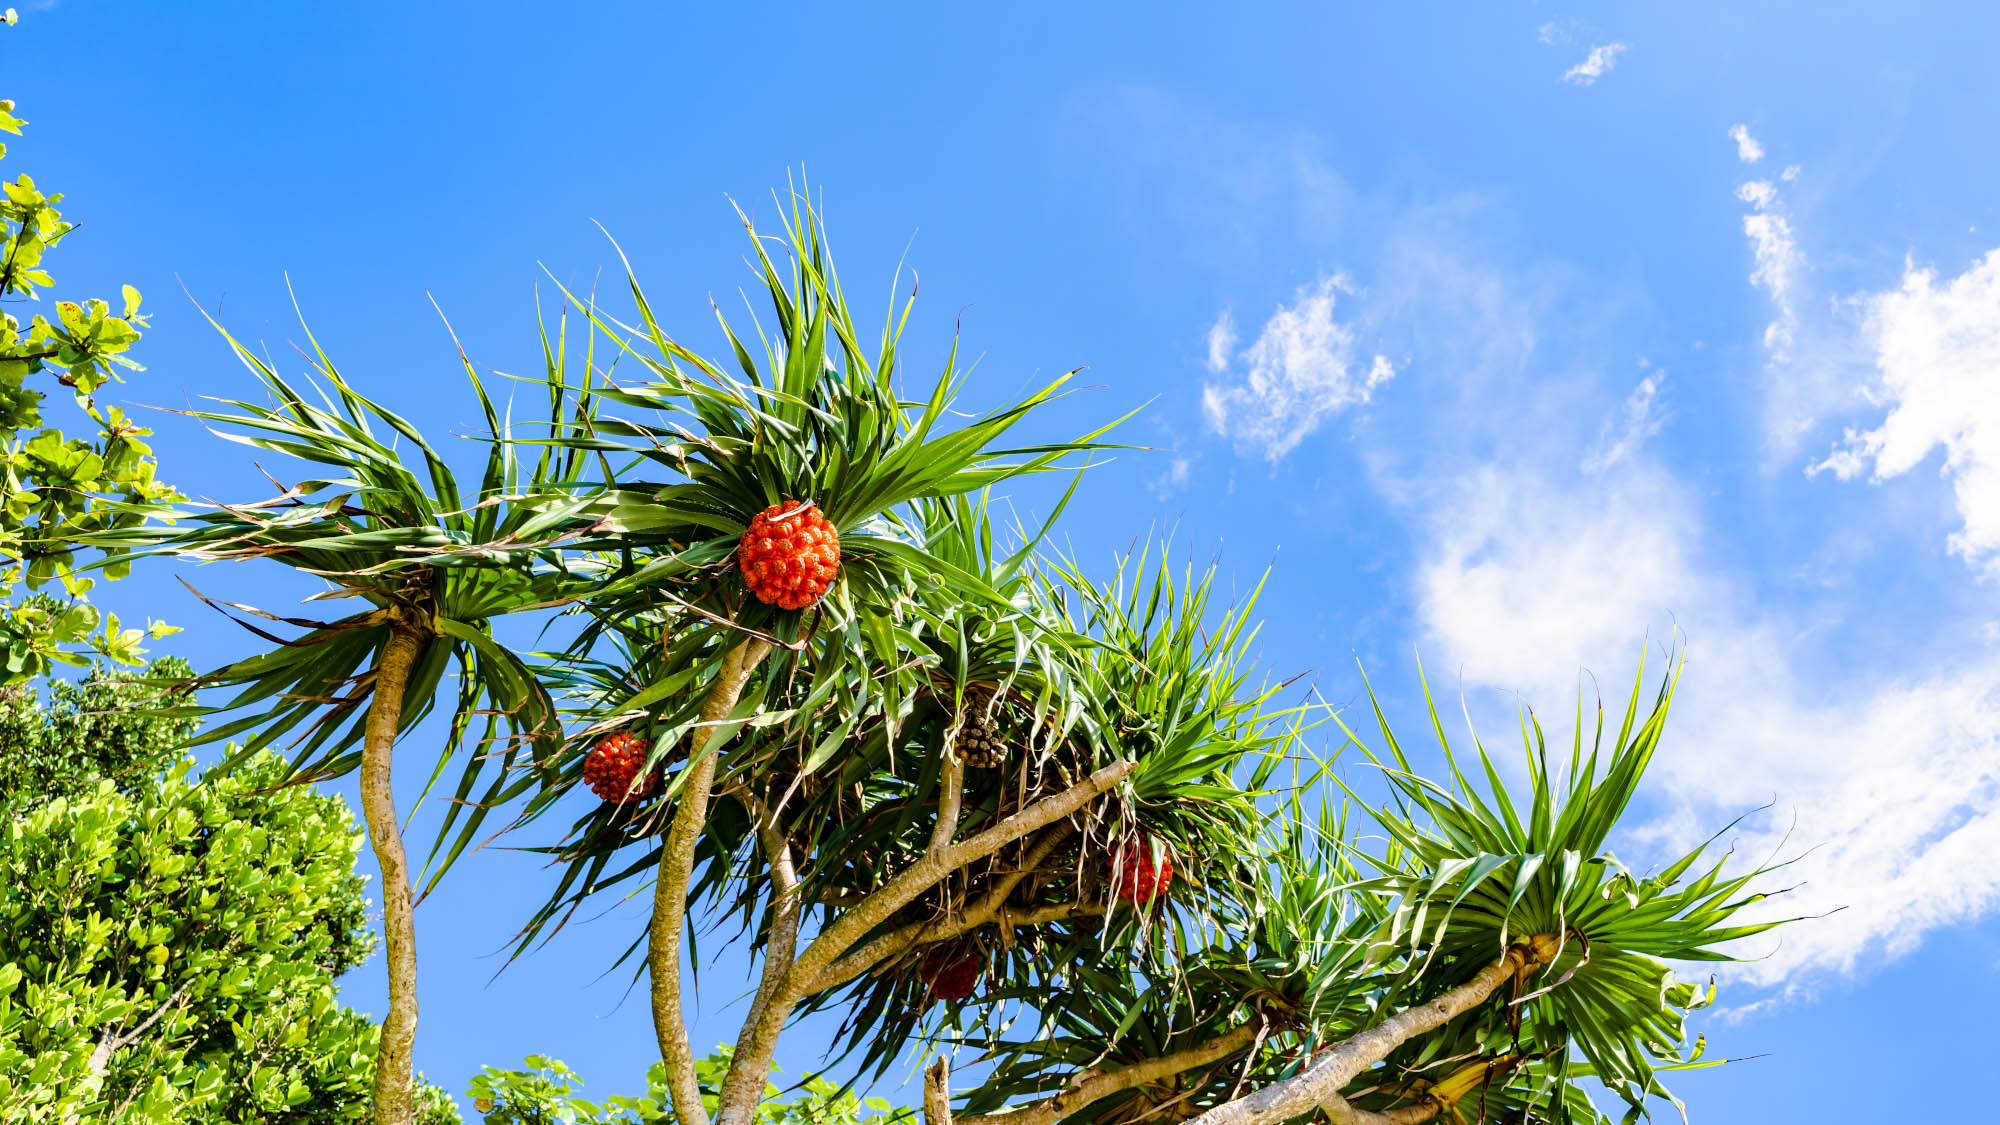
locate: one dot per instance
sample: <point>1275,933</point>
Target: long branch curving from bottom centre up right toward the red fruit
<point>757,1044</point>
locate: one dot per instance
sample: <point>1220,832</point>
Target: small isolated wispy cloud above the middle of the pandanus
<point>1303,369</point>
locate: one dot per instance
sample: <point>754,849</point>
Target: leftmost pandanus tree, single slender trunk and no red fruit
<point>385,521</point>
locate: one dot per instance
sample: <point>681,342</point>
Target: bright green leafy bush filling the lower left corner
<point>171,954</point>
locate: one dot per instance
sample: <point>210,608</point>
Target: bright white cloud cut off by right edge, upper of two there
<point>1939,363</point>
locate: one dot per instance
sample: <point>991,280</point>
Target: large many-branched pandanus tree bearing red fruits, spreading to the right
<point>981,802</point>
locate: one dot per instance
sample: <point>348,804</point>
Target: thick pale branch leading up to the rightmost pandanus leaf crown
<point>1321,1086</point>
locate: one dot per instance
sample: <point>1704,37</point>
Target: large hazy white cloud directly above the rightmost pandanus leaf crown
<point>1893,784</point>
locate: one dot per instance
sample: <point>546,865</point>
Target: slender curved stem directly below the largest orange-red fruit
<point>677,866</point>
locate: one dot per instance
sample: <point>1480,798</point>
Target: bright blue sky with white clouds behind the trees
<point>1511,335</point>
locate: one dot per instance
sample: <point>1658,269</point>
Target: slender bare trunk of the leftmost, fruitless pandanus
<point>393,1096</point>
